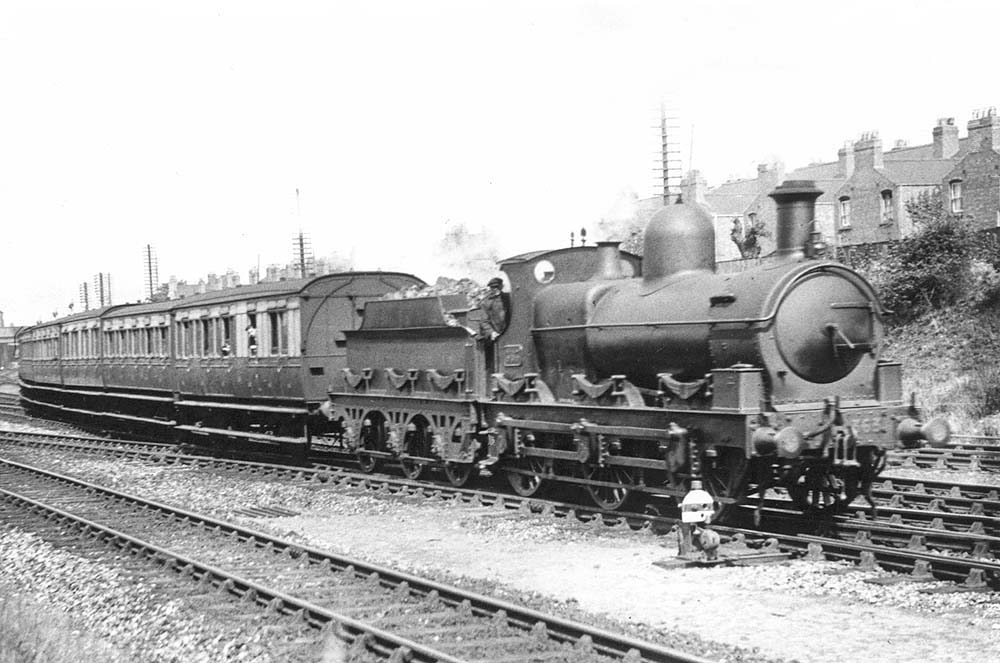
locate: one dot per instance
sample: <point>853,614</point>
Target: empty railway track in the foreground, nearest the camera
<point>374,609</point>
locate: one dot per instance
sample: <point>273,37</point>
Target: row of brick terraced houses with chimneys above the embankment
<point>866,189</point>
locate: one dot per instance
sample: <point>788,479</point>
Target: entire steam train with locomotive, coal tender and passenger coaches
<point>630,378</point>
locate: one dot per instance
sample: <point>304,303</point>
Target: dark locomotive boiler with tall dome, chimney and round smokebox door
<point>813,326</point>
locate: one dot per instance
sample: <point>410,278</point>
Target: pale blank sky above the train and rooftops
<point>189,126</point>
